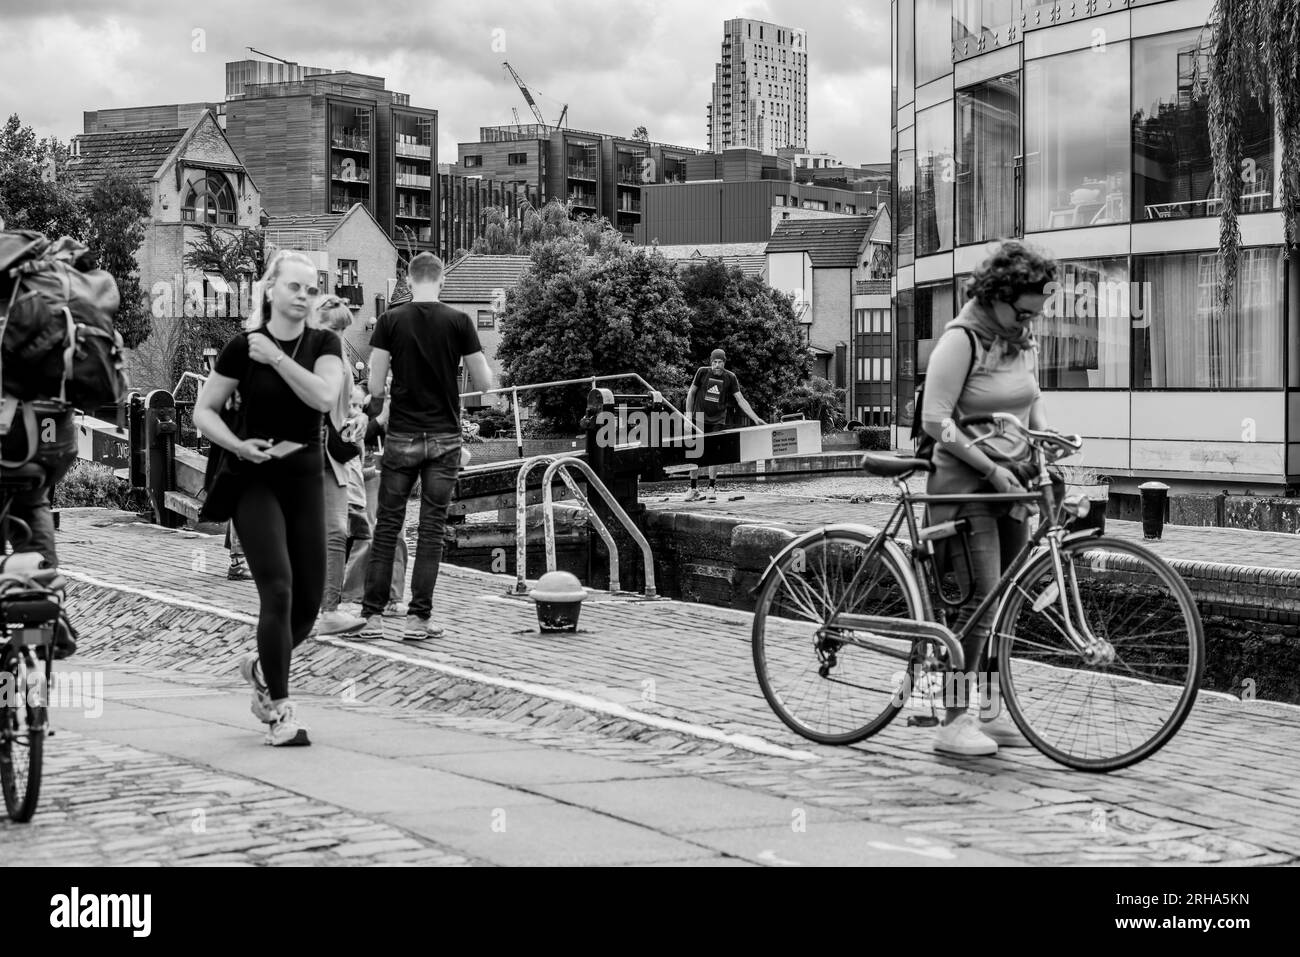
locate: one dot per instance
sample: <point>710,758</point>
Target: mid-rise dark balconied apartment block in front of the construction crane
<point>600,175</point>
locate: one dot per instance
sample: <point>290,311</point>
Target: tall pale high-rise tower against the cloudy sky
<point>761,89</point>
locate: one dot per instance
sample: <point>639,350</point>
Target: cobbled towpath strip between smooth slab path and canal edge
<point>1223,793</point>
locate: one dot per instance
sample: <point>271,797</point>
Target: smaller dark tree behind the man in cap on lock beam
<point>755,324</point>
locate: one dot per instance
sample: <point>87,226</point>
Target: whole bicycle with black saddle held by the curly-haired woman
<point>1097,642</point>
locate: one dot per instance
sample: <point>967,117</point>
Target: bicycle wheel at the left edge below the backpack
<point>23,731</point>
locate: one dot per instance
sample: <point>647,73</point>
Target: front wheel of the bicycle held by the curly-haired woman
<point>1123,701</point>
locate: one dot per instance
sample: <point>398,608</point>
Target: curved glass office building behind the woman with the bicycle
<point>1082,129</point>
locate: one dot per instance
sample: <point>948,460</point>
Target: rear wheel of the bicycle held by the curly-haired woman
<point>833,685</point>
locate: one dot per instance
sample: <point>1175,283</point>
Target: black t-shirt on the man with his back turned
<point>427,343</point>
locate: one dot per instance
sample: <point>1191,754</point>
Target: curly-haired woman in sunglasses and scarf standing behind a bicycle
<point>985,362</point>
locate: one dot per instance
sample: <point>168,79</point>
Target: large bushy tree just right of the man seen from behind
<point>577,314</point>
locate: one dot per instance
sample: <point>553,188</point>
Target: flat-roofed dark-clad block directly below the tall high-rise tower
<point>738,197</point>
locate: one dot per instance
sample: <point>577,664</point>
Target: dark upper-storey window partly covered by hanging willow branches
<point>1173,171</point>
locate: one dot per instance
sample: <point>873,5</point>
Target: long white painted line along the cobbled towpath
<point>748,743</point>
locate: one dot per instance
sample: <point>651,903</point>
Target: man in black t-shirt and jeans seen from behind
<point>423,344</point>
